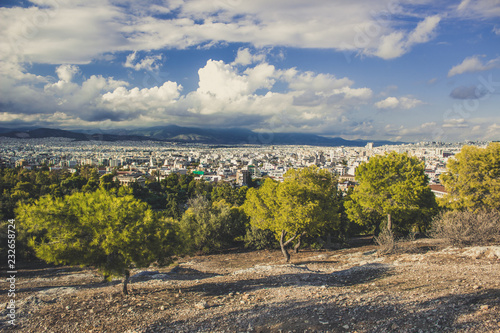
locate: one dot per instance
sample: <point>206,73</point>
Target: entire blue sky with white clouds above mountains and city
<point>407,70</point>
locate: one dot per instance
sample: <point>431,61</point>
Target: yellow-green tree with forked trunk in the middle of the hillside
<point>302,204</point>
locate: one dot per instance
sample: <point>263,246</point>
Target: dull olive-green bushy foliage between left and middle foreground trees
<point>208,227</point>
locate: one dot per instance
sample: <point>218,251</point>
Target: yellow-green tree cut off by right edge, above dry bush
<point>473,179</point>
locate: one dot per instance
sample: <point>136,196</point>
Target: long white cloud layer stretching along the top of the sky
<point>79,31</point>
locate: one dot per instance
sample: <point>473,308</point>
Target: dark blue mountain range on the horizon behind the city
<point>173,133</point>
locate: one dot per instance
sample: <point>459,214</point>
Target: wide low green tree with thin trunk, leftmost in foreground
<point>99,229</point>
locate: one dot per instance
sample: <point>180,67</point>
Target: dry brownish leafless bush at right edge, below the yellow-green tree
<point>463,228</point>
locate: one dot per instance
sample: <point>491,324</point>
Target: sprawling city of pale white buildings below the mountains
<point>138,161</point>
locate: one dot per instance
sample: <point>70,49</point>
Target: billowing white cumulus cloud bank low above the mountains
<point>228,95</point>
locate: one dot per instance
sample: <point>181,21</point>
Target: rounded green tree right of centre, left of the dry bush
<point>392,185</point>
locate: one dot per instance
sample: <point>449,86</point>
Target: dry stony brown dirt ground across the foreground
<point>429,289</point>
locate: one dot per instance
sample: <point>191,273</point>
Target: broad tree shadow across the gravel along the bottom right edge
<point>446,313</point>
